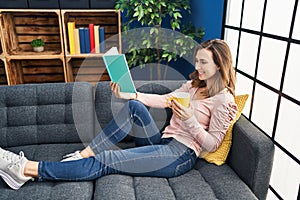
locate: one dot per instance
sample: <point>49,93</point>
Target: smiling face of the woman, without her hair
<point>205,65</point>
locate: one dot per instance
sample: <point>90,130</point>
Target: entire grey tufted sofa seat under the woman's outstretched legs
<point>206,181</point>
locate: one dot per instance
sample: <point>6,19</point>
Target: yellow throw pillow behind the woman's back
<point>219,156</point>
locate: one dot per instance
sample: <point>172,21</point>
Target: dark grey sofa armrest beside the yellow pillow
<point>251,156</point>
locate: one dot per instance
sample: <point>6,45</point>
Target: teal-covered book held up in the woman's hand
<point>118,70</point>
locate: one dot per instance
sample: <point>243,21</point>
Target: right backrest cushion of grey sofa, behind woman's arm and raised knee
<point>107,105</point>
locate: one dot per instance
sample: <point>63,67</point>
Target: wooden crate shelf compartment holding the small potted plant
<point>19,28</point>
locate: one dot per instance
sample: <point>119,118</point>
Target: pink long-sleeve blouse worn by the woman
<point>205,130</point>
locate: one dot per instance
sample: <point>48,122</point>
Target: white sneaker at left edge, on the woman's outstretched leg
<point>12,168</point>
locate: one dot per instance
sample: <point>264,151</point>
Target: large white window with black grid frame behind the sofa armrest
<point>264,37</point>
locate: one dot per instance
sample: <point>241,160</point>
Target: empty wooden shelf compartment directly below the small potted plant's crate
<point>36,71</point>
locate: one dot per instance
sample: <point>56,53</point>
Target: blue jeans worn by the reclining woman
<point>153,155</point>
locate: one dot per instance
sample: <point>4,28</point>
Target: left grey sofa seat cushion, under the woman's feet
<point>48,189</point>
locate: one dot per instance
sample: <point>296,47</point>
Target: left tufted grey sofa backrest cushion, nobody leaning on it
<point>46,113</point>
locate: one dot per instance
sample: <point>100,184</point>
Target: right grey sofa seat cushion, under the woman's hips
<point>206,181</point>
